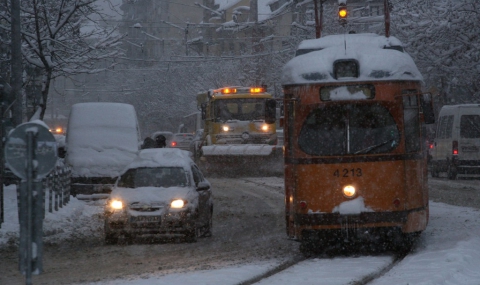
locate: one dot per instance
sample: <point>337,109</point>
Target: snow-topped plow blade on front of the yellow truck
<point>242,160</point>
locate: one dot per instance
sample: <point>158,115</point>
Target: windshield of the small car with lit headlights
<point>154,177</point>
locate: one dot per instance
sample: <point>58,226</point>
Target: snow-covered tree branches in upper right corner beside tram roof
<point>444,40</point>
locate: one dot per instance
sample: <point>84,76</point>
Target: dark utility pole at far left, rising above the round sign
<point>16,63</point>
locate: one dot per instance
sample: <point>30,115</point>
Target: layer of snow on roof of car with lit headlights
<point>161,157</point>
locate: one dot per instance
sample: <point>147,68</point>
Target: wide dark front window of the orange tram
<point>349,129</point>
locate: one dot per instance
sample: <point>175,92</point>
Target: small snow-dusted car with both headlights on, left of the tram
<point>161,192</point>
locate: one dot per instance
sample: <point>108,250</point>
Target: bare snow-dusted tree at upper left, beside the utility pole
<point>62,38</point>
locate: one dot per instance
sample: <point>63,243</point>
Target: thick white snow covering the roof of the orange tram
<point>379,58</point>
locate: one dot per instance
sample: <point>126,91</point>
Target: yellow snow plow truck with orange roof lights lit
<point>239,132</point>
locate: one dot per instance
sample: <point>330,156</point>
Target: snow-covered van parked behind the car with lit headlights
<point>101,140</point>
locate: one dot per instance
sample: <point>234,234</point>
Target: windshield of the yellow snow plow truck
<point>239,109</point>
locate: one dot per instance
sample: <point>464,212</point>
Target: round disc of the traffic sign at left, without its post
<point>45,150</point>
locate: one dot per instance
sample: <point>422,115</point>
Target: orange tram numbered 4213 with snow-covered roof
<point>355,152</point>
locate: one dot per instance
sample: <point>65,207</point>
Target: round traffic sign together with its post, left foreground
<point>31,154</point>
